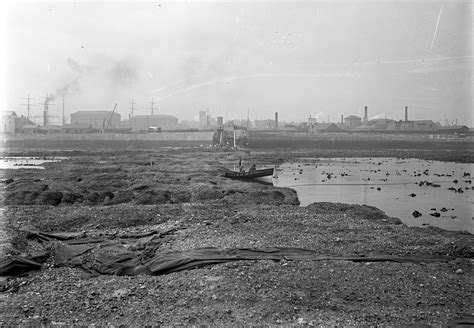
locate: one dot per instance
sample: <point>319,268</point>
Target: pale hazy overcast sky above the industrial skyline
<point>301,59</point>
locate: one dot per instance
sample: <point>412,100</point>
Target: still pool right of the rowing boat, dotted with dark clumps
<point>441,192</point>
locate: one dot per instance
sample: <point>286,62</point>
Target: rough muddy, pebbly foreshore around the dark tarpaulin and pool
<point>112,195</point>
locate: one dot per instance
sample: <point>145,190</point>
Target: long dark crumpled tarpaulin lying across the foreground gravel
<point>135,254</point>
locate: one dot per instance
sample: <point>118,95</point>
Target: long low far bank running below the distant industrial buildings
<point>277,147</point>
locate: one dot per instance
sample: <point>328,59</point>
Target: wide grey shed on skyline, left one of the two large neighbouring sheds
<point>98,119</point>
